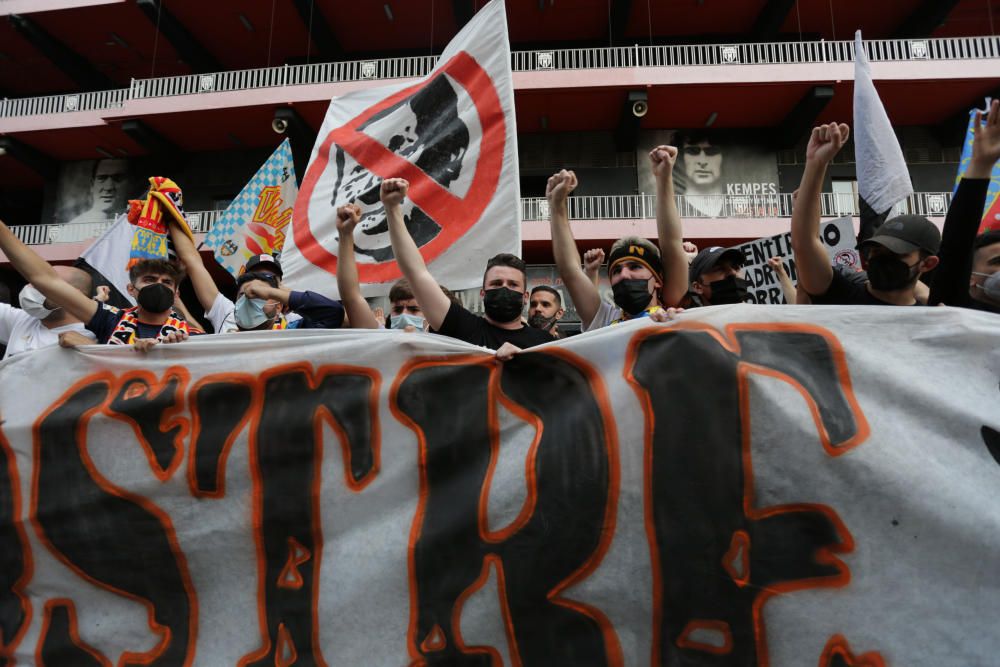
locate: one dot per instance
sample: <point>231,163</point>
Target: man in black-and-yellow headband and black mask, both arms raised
<point>643,284</point>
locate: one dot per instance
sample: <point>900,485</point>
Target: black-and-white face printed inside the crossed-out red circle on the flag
<point>434,138</point>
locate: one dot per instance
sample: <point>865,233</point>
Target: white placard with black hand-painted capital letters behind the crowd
<point>837,235</point>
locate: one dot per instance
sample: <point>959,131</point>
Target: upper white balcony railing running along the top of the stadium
<point>770,53</point>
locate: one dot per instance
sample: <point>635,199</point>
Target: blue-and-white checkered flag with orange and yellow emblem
<point>255,223</point>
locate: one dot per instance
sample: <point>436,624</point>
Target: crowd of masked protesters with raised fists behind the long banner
<point>655,280</point>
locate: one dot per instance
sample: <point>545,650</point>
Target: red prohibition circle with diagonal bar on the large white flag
<point>456,215</point>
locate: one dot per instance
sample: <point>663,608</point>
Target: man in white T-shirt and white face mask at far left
<point>37,324</point>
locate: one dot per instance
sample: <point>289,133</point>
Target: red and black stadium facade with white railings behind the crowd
<point>97,94</point>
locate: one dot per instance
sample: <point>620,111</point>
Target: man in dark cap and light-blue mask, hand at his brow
<point>261,300</point>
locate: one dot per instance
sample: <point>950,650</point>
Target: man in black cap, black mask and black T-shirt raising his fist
<point>902,249</point>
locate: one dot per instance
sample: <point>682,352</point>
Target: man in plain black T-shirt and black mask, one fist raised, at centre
<point>503,291</point>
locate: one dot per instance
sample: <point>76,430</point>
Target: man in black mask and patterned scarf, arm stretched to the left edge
<point>153,283</point>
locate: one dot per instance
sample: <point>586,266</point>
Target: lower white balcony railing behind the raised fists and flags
<point>594,207</point>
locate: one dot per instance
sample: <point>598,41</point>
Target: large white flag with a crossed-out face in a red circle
<point>452,135</point>
